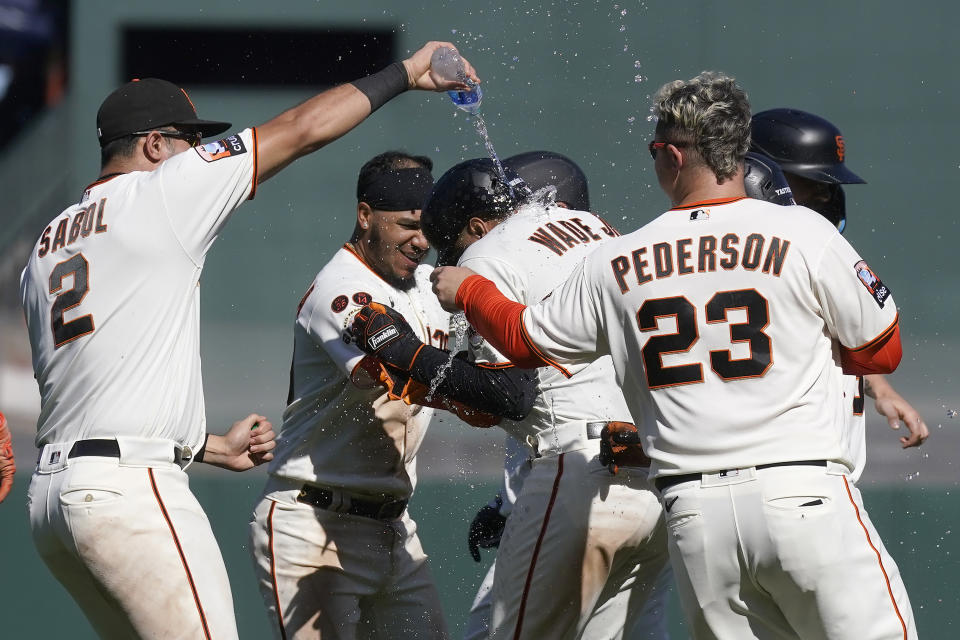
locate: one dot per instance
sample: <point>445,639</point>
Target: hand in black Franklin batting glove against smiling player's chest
<point>382,332</point>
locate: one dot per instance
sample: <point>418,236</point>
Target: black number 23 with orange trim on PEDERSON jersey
<point>721,361</point>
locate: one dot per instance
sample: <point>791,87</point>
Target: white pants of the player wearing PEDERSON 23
<point>782,552</point>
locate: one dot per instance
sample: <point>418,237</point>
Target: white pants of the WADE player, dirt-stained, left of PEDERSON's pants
<point>577,537</point>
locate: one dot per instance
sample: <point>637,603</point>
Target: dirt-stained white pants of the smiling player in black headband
<point>338,576</point>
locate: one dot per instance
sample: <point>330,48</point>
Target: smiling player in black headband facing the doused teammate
<point>336,552</point>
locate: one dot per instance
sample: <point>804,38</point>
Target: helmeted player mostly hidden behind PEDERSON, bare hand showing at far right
<point>812,153</point>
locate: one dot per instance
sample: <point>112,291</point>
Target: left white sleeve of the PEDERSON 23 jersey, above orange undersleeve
<point>566,328</point>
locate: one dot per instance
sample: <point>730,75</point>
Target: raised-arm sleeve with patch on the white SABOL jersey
<point>202,187</point>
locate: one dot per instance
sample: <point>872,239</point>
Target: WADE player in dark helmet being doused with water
<point>578,535</point>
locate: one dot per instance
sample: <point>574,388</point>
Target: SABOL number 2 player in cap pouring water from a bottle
<point>111,295</point>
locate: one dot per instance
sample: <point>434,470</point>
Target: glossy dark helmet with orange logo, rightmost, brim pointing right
<point>802,144</point>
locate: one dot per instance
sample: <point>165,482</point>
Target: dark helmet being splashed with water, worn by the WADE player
<point>470,189</point>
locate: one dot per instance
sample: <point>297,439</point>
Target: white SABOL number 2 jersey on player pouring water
<point>111,296</point>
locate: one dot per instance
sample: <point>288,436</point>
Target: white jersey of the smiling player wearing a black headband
<point>333,432</point>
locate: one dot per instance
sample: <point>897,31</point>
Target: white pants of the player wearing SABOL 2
<point>130,542</point>
